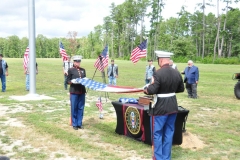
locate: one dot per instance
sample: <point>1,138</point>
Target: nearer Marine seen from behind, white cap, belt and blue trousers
<point>166,82</point>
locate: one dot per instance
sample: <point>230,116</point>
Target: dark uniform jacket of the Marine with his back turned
<point>166,80</point>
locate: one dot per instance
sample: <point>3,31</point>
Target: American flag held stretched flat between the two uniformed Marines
<point>91,84</point>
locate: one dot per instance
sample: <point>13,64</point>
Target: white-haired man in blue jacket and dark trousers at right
<point>191,79</point>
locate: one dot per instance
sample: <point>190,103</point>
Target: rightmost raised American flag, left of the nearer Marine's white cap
<point>139,52</point>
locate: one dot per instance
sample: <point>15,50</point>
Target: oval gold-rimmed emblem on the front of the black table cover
<point>132,119</point>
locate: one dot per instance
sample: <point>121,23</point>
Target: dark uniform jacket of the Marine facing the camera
<point>74,73</point>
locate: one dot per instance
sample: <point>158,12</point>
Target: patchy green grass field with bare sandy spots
<point>40,129</point>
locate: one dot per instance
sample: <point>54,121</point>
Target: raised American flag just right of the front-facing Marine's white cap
<point>102,60</point>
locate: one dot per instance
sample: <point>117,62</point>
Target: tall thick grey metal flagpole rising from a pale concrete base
<point>32,47</point>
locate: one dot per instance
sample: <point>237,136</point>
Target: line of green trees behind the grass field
<point>202,37</point>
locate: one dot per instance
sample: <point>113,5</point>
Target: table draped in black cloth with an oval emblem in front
<point>133,121</point>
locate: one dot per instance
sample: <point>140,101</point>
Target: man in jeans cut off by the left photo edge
<point>3,72</point>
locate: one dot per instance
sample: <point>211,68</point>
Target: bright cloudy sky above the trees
<point>55,18</point>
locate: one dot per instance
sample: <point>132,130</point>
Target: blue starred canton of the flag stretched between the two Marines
<point>91,84</point>
